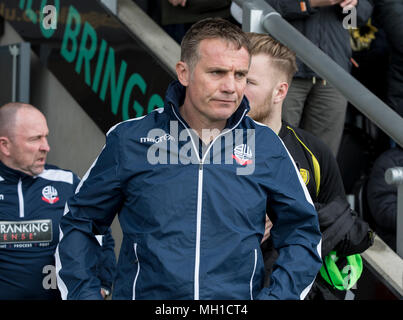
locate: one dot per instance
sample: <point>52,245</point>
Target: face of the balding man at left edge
<point>28,143</point>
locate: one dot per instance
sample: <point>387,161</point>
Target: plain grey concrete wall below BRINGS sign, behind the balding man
<point>74,139</point>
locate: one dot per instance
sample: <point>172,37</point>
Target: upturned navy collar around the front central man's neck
<point>175,97</point>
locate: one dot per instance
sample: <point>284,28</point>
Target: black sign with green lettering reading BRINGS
<point>110,72</point>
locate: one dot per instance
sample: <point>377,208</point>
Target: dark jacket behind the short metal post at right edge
<point>382,197</point>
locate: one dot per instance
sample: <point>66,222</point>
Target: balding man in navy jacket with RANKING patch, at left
<point>32,201</point>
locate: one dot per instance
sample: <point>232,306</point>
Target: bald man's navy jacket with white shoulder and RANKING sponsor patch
<point>30,213</point>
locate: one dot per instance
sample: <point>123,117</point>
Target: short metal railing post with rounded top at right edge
<point>395,176</point>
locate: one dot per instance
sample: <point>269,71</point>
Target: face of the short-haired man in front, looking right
<point>216,84</point>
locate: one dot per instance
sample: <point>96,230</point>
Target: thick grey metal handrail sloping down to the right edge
<point>364,100</point>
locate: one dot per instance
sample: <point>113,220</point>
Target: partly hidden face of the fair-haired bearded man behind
<point>260,86</point>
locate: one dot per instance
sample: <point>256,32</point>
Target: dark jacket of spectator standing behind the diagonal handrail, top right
<point>324,27</point>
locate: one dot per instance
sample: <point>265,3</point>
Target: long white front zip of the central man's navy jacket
<point>200,198</point>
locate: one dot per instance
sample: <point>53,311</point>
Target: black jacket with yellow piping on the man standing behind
<point>341,229</point>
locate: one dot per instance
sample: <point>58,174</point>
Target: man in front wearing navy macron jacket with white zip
<point>192,210</point>
